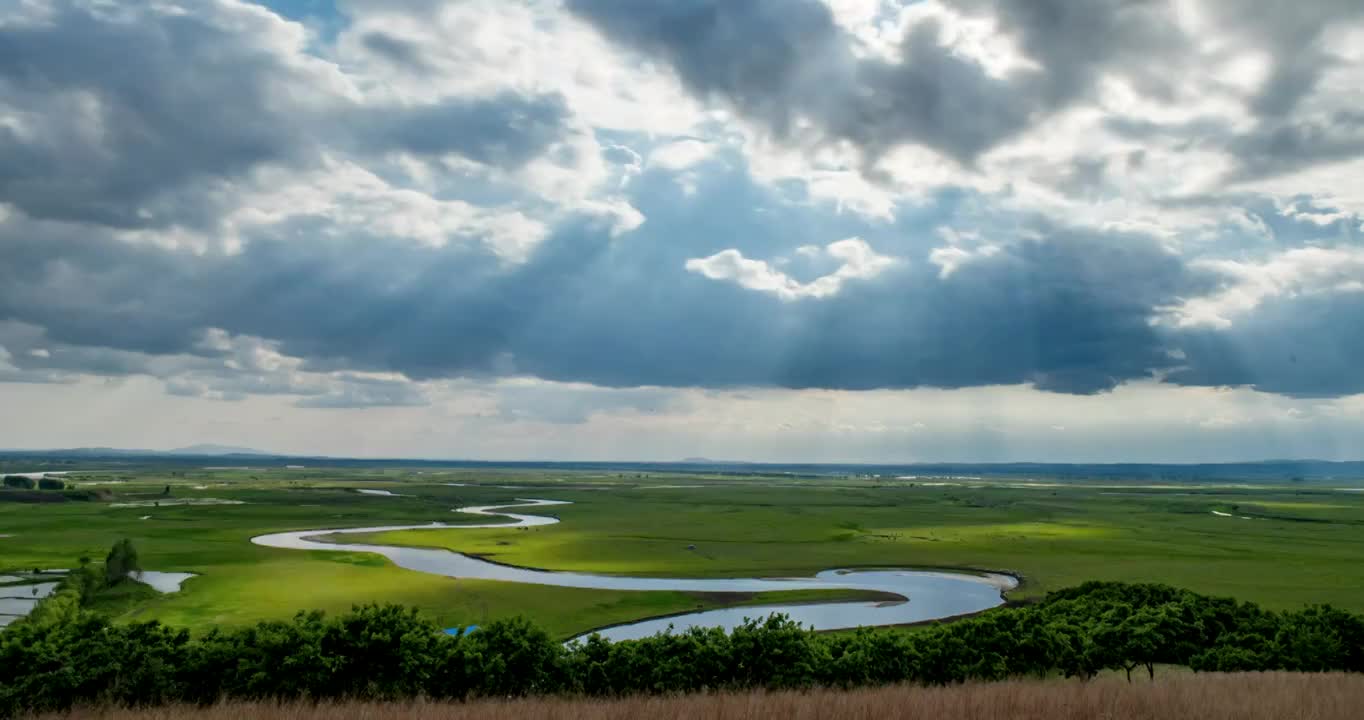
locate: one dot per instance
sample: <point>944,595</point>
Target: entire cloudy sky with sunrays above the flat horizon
<point>795,231</point>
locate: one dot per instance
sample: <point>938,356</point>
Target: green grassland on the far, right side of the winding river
<point>1299,547</point>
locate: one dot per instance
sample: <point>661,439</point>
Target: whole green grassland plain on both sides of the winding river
<point>1299,546</point>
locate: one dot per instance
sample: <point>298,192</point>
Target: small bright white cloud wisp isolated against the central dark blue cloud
<point>859,262</point>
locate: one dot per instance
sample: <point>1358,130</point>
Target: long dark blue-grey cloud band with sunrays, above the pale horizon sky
<point>1069,312</point>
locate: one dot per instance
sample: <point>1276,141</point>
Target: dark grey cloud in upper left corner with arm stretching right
<point>133,118</point>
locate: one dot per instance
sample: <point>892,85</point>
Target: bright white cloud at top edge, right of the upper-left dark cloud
<point>481,47</point>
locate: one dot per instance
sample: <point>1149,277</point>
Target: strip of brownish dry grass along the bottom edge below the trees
<point>1204,697</point>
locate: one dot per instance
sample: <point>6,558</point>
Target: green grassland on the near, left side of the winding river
<point>241,583</point>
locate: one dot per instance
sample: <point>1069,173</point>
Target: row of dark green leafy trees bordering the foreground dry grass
<point>392,652</point>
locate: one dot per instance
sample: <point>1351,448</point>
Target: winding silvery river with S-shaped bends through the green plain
<point>932,595</point>
